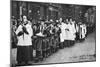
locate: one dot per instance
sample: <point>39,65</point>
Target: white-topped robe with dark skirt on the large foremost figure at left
<point>24,49</point>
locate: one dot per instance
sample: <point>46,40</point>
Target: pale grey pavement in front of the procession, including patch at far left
<point>80,52</point>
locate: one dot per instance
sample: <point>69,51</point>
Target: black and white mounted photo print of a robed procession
<point>44,33</point>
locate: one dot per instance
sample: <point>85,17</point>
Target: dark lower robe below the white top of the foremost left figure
<point>24,54</point>
